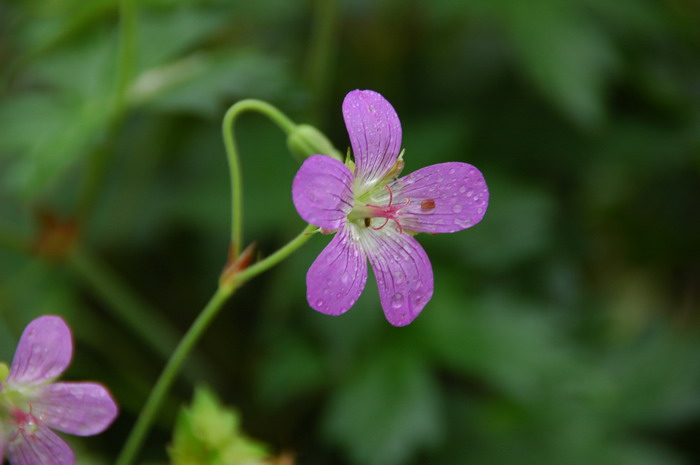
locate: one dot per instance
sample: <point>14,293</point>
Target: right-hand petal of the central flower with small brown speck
<point>442,198</point>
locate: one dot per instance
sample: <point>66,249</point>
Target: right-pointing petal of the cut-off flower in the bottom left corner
<point>82,409</point>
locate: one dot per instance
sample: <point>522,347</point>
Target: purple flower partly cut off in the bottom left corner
<point>31,403</point>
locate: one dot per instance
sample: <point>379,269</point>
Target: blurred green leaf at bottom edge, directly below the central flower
<point>388,411</point>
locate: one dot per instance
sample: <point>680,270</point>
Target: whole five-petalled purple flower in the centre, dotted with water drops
<point>376,214</point>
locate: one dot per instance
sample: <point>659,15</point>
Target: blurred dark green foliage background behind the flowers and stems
<point>564,328</point>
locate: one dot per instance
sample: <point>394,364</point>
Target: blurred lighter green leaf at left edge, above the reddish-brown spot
<point>44,131</point>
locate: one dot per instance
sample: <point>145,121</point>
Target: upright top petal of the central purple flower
<point>375,134</point>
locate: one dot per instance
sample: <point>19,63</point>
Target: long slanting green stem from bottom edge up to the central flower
<point>205,318</point>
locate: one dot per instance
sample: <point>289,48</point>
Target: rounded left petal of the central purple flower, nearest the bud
<point>322,191</point>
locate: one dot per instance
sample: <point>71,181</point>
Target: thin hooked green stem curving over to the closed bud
<point>234,165</point>
